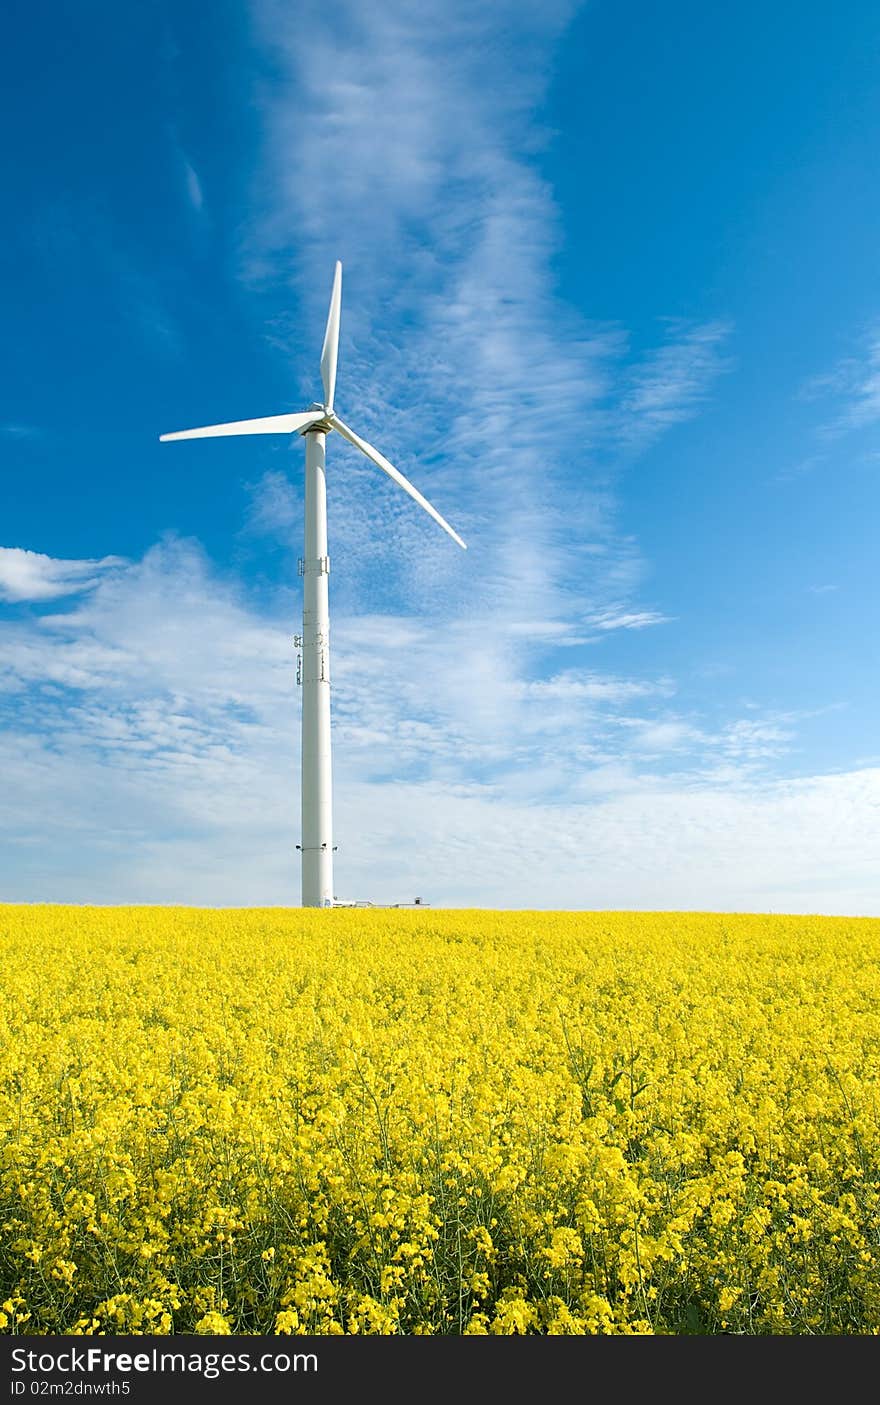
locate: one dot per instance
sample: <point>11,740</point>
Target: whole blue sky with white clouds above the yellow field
<point>611,301</point>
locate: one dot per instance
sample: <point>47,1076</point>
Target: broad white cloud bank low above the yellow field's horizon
<point>154,733</point>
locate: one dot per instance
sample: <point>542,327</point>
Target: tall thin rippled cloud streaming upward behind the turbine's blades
<point>448,233</point>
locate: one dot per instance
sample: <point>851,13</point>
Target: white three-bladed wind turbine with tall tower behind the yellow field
<point>314,425</point>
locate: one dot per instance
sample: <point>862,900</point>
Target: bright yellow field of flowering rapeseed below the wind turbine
<point>417,1122</point>
